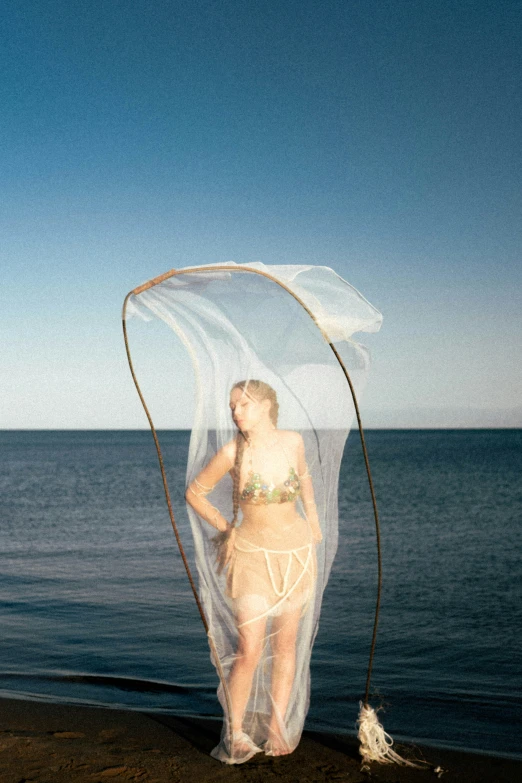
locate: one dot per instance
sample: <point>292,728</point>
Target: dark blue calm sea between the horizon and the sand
<point>95,607</point>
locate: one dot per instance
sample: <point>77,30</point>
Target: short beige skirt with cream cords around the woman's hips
<point>269,582</point>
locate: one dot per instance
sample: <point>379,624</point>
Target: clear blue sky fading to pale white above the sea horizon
<point>379,138</point>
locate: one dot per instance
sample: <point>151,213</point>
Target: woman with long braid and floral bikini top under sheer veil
<point>270,564</point>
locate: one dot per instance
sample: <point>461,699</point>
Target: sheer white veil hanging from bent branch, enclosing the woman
<point>273,412</point>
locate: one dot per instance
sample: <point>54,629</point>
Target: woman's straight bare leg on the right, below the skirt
<point>283,637</point>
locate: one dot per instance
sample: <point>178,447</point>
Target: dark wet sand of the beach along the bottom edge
<point>50,743</point>
